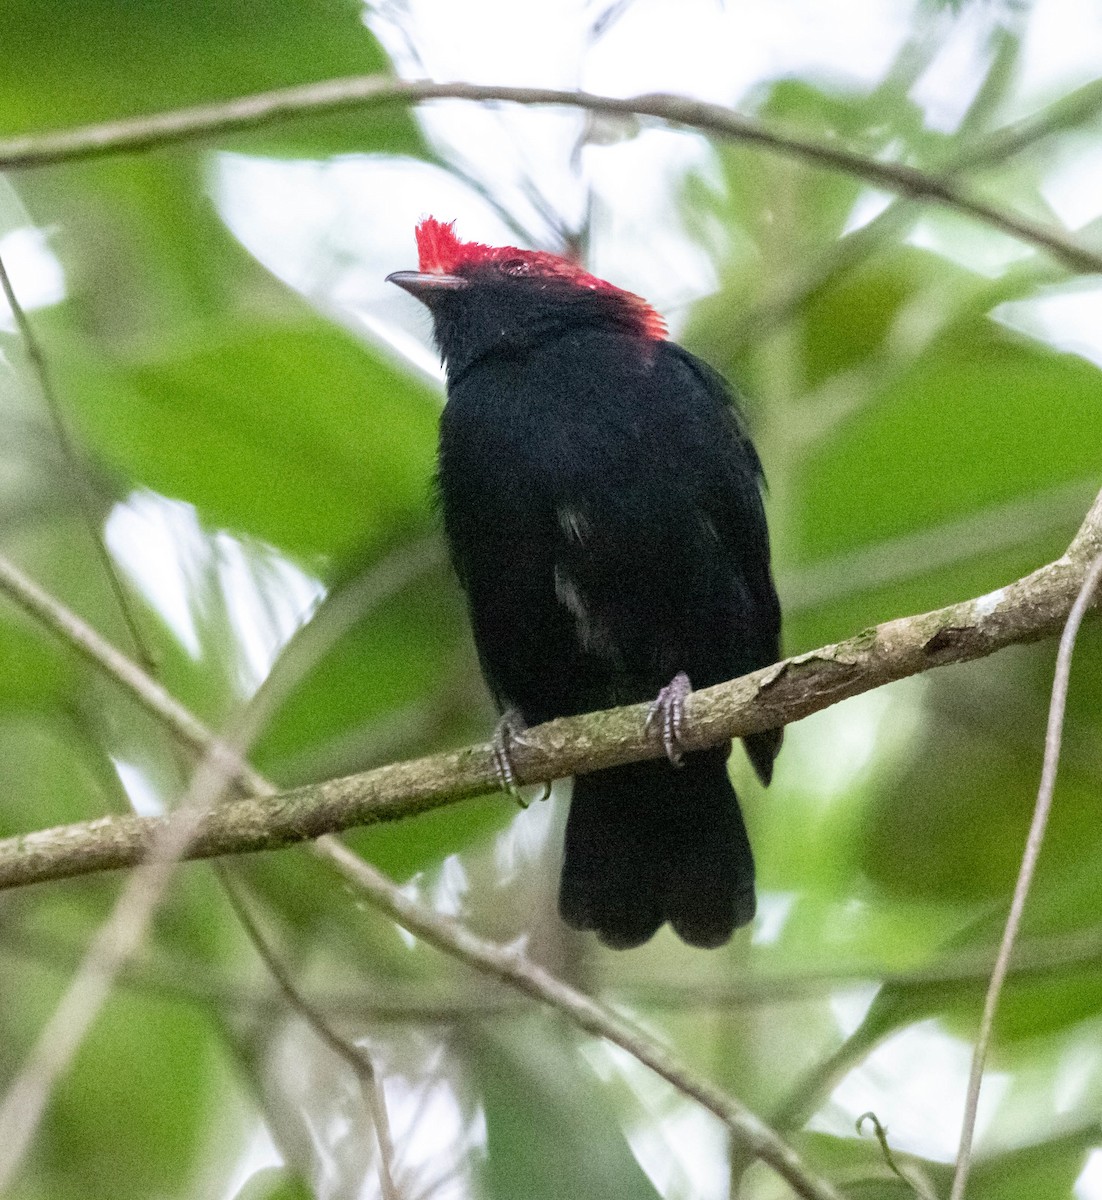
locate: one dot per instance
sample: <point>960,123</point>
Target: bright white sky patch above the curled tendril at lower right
<point>915,1083</point>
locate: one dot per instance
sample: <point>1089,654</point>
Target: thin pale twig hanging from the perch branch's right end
<point>1053,739</point>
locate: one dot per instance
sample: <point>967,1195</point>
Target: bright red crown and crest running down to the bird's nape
<point>442,254</point>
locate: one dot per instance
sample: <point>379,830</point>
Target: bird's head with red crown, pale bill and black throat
<point>487,299</point>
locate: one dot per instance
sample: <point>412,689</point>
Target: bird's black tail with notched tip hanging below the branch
<point>650,843</point>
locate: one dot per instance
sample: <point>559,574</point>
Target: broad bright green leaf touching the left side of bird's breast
<point>291,433</point>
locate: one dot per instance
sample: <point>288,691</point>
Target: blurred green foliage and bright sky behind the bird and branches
<point>254,417</point>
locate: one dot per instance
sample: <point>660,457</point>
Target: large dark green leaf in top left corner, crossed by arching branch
<point>139,59</point>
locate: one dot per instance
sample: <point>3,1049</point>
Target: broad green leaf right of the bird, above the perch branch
<point>983,418</point>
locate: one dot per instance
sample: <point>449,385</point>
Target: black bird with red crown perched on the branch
<point>602,502</point>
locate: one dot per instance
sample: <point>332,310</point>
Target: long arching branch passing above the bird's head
<point>378,92</point>
